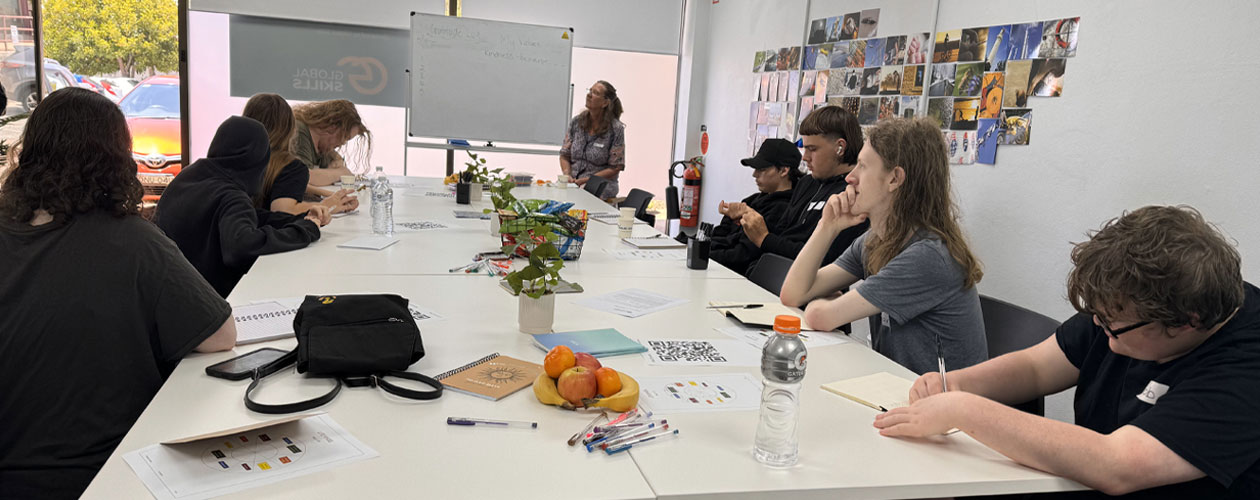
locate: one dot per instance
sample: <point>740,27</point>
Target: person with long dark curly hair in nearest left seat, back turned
<point>96,305</point>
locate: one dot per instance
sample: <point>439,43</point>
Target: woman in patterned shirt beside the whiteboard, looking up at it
<point>595,143</point>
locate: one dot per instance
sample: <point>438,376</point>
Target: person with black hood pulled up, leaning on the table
<point>209,210</point>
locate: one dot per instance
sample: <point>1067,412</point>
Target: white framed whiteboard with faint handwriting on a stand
<point>490,81</point>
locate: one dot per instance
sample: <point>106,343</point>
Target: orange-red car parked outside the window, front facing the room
<point>153,116</point>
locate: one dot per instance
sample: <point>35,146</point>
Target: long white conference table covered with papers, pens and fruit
<point>842,457</point>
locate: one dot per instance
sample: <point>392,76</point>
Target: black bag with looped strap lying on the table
<point>355,339</point>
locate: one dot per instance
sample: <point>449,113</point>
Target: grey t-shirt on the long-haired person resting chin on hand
<point>922,295</point>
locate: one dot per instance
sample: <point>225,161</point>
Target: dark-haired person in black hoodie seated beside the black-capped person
<point>832,142</point>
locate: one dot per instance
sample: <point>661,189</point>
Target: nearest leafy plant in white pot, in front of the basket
<point>537,281</point>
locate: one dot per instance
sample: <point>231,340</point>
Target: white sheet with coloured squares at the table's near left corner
<point>231,464</point>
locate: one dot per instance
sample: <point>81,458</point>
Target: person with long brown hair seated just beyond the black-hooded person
<point>284,183</point>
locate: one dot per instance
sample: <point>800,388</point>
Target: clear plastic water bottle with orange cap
<point>783,366</point>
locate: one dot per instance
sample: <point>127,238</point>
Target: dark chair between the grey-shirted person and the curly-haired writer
<point>1011,328</point>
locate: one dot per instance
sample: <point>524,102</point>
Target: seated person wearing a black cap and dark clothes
<point>777,168</point>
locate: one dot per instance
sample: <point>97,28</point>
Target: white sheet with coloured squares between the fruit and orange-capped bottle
<point>700,394</point>
